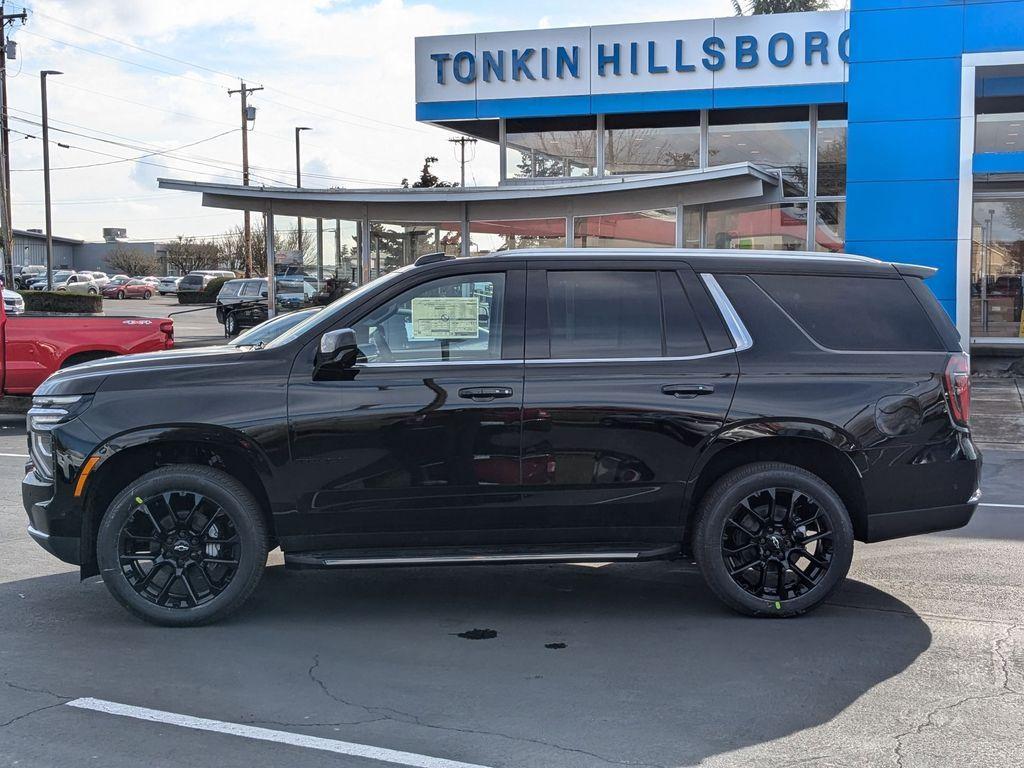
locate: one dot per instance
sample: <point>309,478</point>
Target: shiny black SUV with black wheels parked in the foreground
<point>757,413</point>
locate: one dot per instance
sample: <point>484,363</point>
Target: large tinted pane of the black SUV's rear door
<point>605,315</point>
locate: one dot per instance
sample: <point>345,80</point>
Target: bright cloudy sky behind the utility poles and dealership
<point>150,76</point>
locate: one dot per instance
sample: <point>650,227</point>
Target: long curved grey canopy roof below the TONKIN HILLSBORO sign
<point>533,199</point>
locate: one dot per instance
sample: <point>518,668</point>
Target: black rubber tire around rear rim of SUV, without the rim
<point>722,500</point>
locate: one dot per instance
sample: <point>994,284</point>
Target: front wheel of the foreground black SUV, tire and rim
<point>129,523</point>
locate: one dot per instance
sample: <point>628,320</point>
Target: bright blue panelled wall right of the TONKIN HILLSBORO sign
<point>905,102</point>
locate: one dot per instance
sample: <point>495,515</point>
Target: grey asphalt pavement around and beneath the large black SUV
<point>918,661</point>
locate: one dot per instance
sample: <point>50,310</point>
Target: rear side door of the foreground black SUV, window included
<point>624,385</point>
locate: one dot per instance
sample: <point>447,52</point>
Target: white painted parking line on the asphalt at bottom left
<point>266,735</point>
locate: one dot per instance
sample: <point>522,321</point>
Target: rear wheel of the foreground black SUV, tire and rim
<point>747,577</point>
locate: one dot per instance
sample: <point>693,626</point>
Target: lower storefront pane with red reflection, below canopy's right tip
<point>772,228</point>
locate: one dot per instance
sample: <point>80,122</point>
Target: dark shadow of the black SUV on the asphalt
<point>576,666</point>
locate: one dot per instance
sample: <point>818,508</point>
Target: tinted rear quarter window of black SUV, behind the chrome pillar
<point>855,314</point>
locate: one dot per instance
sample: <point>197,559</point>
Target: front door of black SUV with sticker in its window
<point>419,444</point>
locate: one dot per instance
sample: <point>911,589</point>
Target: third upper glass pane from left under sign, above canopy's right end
<point>781,144</point>
